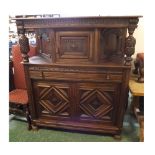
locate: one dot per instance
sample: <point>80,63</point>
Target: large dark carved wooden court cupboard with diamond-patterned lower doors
<point>79,80</point>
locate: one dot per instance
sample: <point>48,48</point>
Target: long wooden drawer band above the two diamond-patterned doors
<point>76,74</point>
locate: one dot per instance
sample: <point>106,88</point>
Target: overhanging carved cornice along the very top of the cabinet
<point>39,21</point>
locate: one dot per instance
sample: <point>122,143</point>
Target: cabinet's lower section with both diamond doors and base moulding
<point>76,105</point>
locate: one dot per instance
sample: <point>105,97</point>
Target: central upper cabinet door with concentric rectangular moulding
<point>74,45</point>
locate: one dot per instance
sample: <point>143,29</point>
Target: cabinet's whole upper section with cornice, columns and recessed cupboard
<point>79,40</point>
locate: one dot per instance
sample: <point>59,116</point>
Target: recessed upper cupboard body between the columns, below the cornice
<point>91,46</point>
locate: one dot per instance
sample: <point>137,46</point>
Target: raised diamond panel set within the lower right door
<point>97,104</point>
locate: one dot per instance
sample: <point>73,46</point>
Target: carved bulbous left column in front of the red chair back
<point>24,46</point>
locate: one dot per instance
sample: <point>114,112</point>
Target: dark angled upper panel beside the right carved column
<point>112,43</point>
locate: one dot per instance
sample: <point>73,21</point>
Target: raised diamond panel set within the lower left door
<point>54,100</point>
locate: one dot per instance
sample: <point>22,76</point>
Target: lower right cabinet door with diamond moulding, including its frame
<point>98,102</point>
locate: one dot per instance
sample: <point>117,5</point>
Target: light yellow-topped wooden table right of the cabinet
<point>137,106</point>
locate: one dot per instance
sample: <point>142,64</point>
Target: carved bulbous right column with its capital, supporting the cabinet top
<point>130,41</point>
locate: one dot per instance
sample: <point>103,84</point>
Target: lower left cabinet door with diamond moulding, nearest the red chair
<point>52,99</point>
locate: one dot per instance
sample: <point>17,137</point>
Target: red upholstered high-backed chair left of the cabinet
<point>18,97</point>
